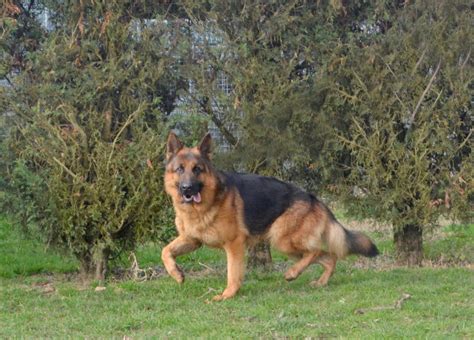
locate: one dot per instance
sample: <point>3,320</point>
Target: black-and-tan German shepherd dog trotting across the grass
<point>233,210</point>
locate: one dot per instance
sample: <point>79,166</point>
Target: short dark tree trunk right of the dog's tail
<point>409,245</point>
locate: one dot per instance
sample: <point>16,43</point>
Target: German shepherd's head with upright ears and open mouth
<point>188,170</point>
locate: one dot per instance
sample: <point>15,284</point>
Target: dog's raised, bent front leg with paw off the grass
<point>179,246</point>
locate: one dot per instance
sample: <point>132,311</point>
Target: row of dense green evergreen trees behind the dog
<point>370,102</point>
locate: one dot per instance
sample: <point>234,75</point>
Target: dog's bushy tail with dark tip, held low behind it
<point>342,242</point>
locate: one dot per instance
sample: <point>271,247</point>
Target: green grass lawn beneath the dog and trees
<point>38,298</point>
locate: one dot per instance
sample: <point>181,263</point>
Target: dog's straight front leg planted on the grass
<point>235,252</point>
